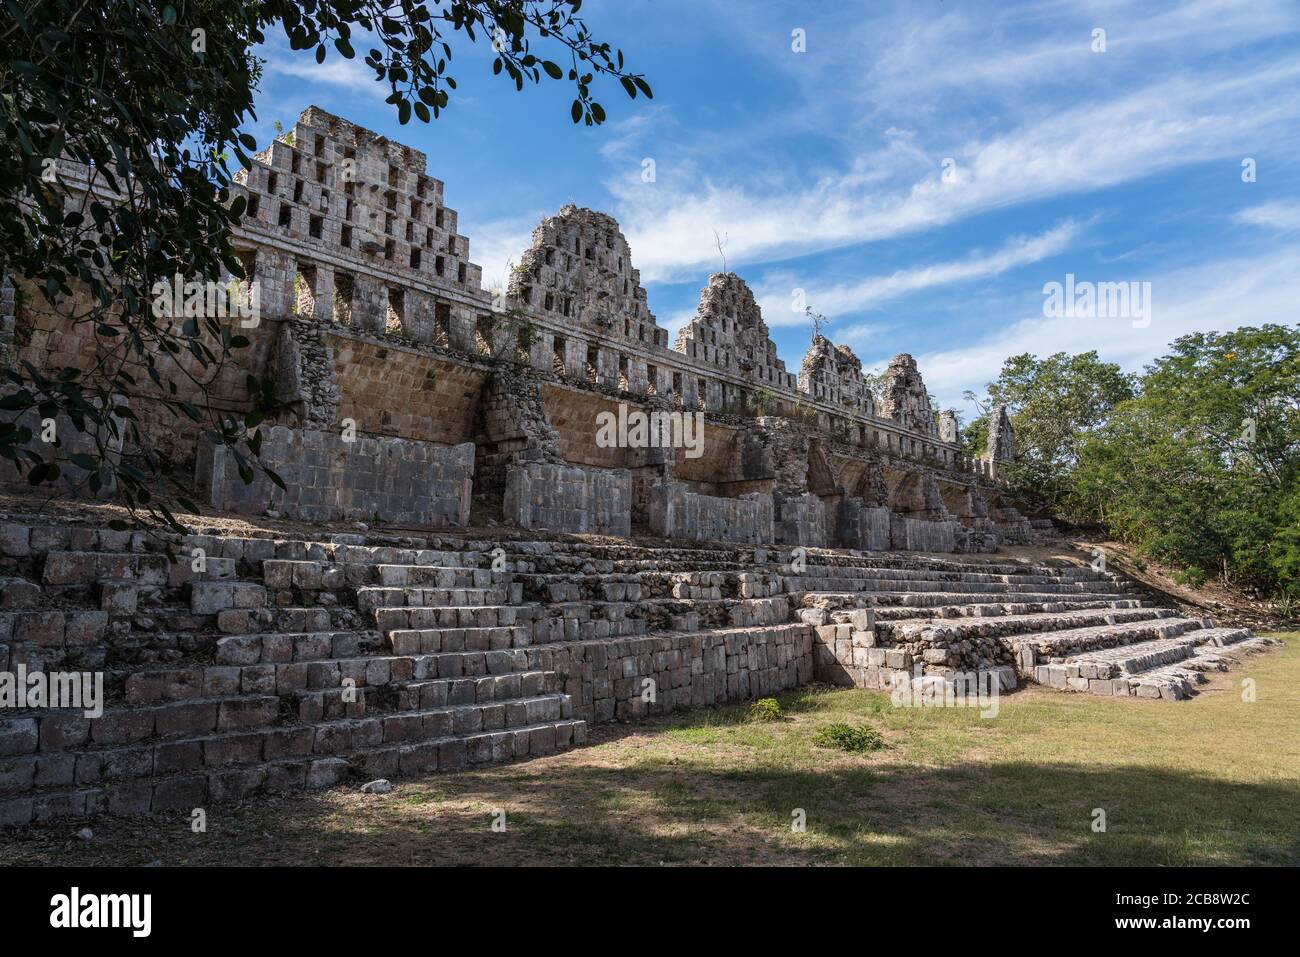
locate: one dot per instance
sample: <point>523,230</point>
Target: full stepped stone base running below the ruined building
<point>241,666</point>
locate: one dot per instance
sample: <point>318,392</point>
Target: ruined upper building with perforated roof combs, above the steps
<point>375,318</point>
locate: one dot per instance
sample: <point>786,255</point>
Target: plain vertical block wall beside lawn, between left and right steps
<point>608,679</point>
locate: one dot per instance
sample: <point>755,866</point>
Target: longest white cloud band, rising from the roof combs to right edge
<point>1100,144</point>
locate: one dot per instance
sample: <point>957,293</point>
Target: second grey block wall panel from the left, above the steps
<point>570,499</point>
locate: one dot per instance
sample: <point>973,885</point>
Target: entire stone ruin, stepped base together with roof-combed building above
<point>796,543</point>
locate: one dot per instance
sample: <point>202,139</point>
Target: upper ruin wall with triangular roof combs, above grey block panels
<point>375,318</point>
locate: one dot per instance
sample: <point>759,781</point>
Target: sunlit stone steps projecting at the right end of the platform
<point>1068,629</point>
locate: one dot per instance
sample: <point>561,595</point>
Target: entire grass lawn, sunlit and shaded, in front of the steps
<point>1210,781</point>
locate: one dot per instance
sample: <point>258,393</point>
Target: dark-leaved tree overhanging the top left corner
<point>148,99</point>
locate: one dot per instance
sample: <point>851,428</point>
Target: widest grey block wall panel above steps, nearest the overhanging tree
<point>328,479</point>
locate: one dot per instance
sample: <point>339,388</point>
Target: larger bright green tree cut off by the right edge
<point>1203,469</point>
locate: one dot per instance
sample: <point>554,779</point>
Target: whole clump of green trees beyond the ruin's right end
<point>1197,462</point>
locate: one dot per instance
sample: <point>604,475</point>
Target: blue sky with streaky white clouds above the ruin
<point>825,171</point>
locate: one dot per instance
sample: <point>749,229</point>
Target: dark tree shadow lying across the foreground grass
<point>558,813</point>
